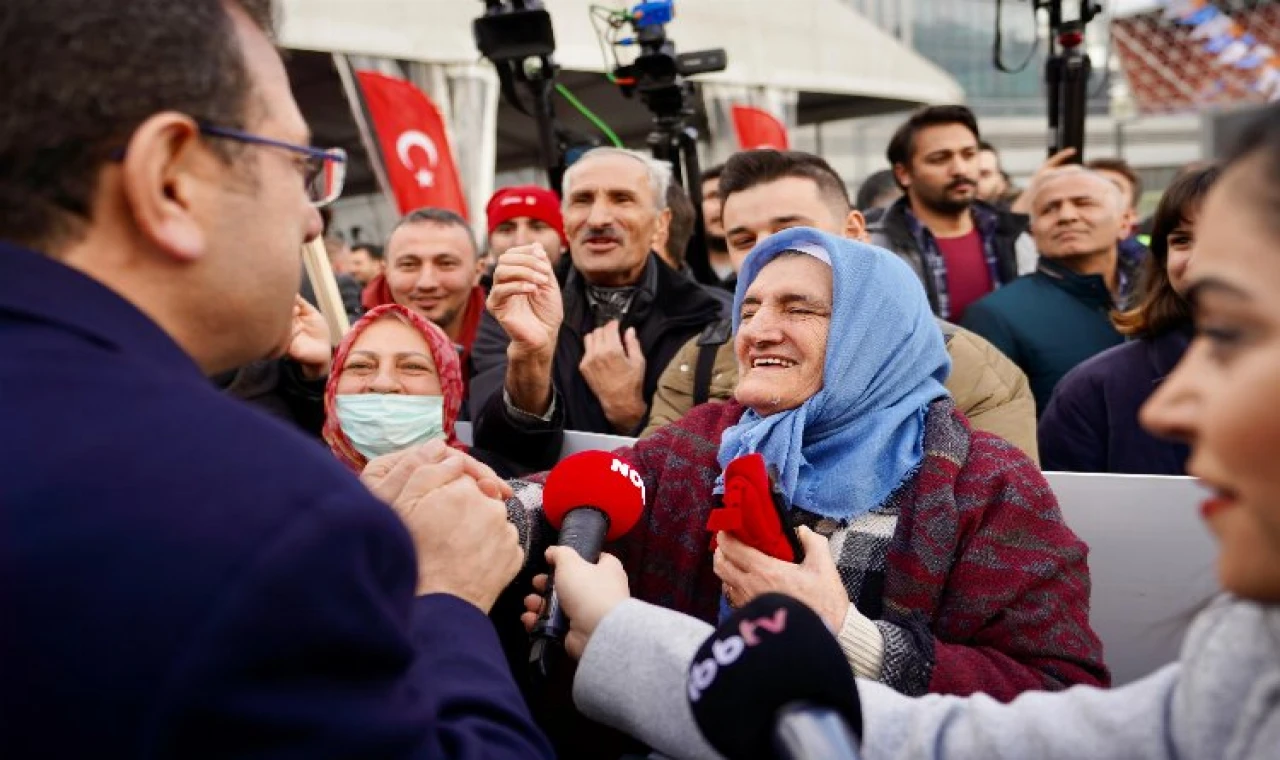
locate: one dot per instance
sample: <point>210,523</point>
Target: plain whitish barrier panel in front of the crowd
<point>1151,560</point>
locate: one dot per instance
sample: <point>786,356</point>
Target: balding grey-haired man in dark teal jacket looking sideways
<point>1059,315</point>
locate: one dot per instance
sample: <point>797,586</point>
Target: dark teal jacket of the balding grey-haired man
<point>1046,323</point>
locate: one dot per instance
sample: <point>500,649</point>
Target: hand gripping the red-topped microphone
<point>587,592</point>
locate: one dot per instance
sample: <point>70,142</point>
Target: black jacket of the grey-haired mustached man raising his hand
<point>669,310</point>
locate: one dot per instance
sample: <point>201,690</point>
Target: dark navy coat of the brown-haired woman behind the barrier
<point>1091,424</point>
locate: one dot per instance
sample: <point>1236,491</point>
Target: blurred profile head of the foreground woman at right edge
<point>1224,399</point>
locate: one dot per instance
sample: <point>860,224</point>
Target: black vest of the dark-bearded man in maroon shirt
<point>892,230</point>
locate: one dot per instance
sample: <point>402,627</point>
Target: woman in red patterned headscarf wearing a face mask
<point>396,383</point>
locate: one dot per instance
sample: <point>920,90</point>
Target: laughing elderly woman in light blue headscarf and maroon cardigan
<point>938,553</point>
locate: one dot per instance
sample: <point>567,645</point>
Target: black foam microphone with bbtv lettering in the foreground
<point>774,683</point>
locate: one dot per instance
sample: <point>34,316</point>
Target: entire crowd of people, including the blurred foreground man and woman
<point>230,533</point>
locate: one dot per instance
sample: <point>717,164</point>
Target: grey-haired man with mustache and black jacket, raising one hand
<point>588,358</point>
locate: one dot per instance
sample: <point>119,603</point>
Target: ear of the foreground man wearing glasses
<point>161,184</point>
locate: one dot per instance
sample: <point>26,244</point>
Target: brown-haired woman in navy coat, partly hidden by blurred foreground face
<point>1091,424</point>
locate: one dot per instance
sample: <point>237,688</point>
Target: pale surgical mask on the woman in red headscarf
<point>386,423</point>
